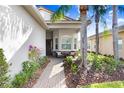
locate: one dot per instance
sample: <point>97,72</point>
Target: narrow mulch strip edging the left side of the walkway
<point>36,76</point>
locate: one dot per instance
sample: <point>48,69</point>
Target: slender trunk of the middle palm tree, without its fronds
<point>97,31</point>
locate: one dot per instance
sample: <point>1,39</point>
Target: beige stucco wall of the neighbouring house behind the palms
<point>106,44</point>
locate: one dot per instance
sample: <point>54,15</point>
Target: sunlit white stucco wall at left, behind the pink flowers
<point>18,30</point>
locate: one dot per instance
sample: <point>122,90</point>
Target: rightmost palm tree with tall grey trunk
<point>115,10</point>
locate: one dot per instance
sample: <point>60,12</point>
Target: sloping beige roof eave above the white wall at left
<point>33,11</point>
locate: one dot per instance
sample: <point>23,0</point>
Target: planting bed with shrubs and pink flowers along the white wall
<point>28,76</point>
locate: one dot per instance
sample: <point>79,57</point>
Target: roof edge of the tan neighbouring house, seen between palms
<point>120,28</point>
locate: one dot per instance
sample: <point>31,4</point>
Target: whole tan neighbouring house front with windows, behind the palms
<point>106,43</point>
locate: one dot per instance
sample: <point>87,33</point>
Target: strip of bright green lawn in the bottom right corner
<point>114,84</point>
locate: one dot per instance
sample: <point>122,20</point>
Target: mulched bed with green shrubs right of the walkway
<point>104,69</point>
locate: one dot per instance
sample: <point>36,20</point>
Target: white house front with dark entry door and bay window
<point>22,26</point>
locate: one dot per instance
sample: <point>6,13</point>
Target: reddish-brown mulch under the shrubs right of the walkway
<point>92,77</point>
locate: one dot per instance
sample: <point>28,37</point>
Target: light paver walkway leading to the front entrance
<point>53,75</point>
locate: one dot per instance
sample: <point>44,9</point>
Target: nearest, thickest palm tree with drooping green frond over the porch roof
<point>59,14</point>
